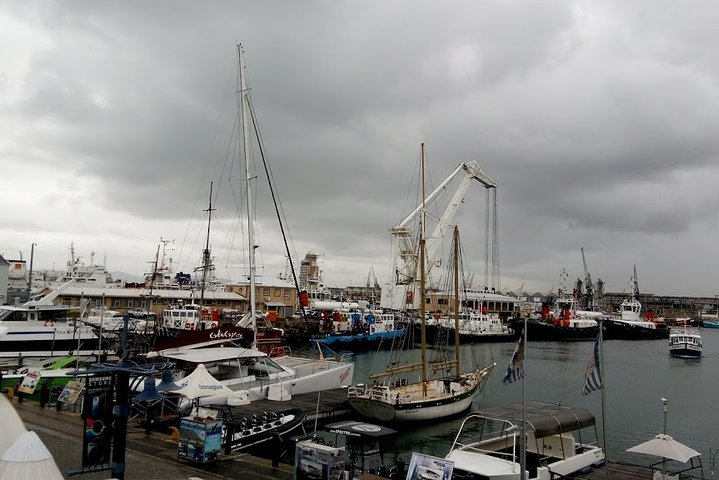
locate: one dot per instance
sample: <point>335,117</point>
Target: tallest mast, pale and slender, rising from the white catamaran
<point>244,109</point>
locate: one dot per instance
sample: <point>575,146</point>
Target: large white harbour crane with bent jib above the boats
<point>399,293</point>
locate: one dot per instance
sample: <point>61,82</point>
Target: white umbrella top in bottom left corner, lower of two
<point>28,459</point>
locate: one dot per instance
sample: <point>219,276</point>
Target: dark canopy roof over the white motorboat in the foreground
<point>543,418</point>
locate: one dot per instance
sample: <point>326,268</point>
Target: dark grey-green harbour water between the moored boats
<point>637,375</point>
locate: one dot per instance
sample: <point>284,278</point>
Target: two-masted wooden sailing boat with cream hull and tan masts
<point>400,399</point>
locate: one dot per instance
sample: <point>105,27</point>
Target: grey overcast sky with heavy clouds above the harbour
<point>598,121</point>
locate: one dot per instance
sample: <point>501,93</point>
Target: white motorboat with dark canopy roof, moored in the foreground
<point>487,445</point>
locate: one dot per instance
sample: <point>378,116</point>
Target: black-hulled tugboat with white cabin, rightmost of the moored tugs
<point>628,325</point>
